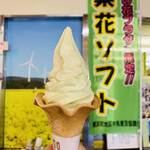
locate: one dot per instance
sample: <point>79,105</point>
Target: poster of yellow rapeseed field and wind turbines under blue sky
<point>32,42</point>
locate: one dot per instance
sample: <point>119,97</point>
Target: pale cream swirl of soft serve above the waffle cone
<point>68,84</point>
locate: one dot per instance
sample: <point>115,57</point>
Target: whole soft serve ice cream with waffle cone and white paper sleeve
<point>68,85</point>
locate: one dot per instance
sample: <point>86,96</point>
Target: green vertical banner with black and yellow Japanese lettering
<point>114,65</point>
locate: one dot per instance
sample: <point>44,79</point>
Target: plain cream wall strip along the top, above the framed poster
<point>53,7</point>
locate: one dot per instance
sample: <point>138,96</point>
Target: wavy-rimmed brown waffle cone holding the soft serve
<point>63,123</point>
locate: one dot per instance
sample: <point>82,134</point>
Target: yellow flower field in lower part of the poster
<point>24,120</point>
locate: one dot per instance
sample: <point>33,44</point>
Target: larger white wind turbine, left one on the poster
<point>30,64</point>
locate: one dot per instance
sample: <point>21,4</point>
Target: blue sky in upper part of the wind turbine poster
<point>39,36</point>
